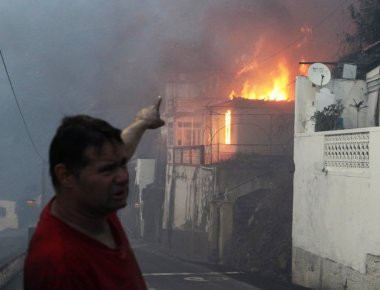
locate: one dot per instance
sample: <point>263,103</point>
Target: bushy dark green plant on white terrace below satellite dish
<point>327,119</point>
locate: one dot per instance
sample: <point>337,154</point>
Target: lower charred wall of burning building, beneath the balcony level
<point>261,217</point>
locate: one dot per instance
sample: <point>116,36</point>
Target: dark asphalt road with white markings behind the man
<point>163,272</point>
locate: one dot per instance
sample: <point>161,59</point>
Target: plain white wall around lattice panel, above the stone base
<point>336,214</point>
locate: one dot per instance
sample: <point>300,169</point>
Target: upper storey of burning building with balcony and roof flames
<point>204,128</point>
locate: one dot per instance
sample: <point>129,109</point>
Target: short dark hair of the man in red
<point>73,137</point>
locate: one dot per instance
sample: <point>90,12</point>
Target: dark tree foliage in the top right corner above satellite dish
<point>366,17</point>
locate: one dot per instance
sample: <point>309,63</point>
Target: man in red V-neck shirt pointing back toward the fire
<point>79,242</point>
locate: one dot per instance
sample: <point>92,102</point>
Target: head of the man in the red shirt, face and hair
<point>88,165</point>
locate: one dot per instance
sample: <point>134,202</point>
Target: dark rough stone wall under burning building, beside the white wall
<point>262,224</point>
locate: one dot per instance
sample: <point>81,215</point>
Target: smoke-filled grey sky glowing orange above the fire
<point>109,58</point>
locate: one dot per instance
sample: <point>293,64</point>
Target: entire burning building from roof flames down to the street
<point>228,144</point>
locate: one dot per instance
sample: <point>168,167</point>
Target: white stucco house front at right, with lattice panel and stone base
<point>336,241</point>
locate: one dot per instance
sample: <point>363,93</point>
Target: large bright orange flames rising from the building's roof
<point>272,86</point>
